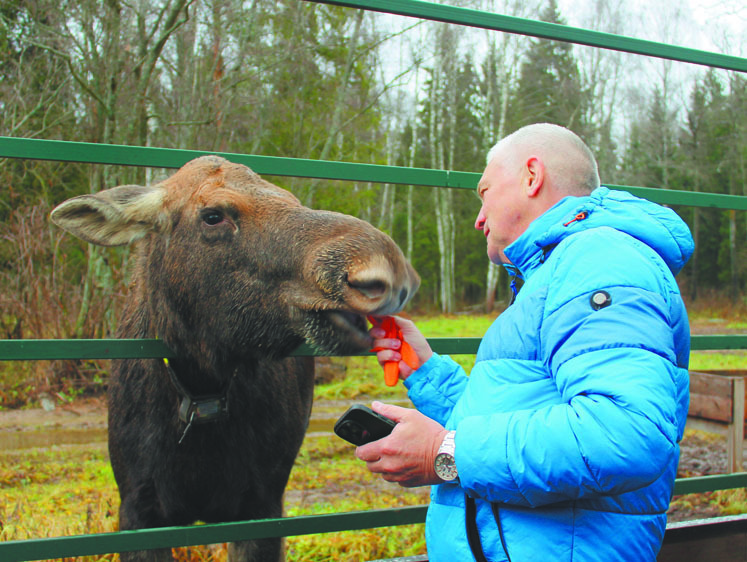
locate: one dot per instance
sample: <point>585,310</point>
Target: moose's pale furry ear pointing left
<point>113,217</point>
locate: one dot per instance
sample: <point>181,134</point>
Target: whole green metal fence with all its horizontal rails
<point>11,350</point>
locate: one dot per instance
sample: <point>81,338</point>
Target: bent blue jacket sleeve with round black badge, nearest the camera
<point>617,424</point>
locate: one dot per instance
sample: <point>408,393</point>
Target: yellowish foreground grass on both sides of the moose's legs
<point>70,490</point>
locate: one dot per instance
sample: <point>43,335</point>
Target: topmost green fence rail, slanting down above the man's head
<point>544,30</point>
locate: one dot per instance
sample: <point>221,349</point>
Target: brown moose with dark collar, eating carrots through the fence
<point>232,273</point>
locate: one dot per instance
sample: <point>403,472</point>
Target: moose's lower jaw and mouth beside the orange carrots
<point>337,332</point>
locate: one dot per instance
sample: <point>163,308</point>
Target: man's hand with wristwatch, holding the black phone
<point>405,456</point>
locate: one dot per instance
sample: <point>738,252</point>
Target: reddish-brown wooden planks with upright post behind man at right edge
<point>717,405</point>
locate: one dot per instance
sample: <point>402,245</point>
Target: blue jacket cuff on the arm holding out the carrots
<point>436,387</point>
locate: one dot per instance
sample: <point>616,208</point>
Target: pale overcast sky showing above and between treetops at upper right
<point>709,25</point>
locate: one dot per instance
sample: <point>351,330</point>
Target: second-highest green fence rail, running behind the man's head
<point>94,153</point>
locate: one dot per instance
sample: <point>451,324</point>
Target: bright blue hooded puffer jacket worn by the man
<point>570,419</point>
